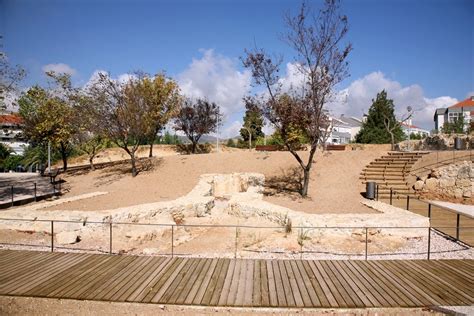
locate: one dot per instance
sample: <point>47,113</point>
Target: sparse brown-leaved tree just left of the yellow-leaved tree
<point>118,107</point>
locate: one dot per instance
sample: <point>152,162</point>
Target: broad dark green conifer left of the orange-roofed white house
<point>381,126</point>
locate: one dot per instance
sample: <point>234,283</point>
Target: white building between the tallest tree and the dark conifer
<point>344,129</point>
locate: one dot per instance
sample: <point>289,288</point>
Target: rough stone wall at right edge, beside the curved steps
<point>454,183</point>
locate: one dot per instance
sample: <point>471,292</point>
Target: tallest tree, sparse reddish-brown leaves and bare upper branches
<point>321,59</point>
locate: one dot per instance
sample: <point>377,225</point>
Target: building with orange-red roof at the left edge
<point>10,133</point>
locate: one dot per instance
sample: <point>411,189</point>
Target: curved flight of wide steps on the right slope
<point>391,171</point>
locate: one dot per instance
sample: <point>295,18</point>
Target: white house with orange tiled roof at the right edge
<point>464,108</point>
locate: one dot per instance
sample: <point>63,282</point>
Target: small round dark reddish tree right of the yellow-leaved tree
<point>196,119</point>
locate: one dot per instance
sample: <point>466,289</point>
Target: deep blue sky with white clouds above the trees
<point>420,51</point>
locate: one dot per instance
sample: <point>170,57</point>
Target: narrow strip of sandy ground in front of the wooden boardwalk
<point>45,306</point>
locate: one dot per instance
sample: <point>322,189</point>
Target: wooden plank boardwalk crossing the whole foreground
<point>237,282</point>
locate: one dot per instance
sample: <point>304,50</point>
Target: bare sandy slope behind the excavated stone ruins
<point>334,186</point>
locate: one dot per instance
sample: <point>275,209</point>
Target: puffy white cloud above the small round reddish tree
<point>216,78</point>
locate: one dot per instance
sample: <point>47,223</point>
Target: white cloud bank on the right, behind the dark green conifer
<point>357,98</point>
